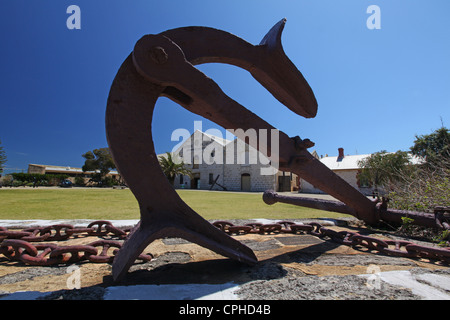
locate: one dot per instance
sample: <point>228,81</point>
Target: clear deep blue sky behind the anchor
<point>376,89</point>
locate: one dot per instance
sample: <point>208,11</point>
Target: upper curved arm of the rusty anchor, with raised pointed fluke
<point>266,62</point>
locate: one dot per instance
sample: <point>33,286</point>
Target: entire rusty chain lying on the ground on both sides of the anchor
<point>17,245</point>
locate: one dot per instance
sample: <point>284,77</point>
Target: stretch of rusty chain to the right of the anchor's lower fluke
<point>398,248</point>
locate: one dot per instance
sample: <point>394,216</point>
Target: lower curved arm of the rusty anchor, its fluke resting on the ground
<point>163,213</point>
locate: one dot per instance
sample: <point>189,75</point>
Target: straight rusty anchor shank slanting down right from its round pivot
<point>205,98</point>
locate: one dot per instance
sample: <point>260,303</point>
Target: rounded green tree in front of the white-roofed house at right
<point>381,169</point>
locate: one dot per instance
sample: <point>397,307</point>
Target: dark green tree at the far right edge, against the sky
<point>434,147</point>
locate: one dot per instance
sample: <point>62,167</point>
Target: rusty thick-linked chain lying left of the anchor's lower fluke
<point>17,245</point>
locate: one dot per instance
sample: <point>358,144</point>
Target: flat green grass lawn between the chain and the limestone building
<point>111,204</point>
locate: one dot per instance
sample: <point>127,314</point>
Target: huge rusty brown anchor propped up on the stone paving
<point>163,65</point>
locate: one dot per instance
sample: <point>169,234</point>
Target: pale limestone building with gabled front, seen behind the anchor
<point>221,164</point>
